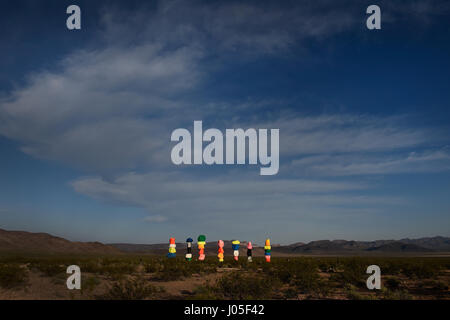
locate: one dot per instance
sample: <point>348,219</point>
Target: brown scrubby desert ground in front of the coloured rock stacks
<point>134,276</point>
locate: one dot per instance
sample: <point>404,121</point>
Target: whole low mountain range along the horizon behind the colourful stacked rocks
<point>21,241</point>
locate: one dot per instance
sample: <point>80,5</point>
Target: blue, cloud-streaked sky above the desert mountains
<point>86,117</point>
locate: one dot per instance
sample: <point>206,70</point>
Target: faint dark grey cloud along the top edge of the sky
<point>230,26</point>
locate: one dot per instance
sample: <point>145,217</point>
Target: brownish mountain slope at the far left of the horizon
<point>21,241</point>
